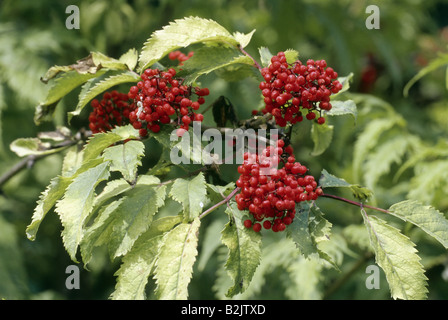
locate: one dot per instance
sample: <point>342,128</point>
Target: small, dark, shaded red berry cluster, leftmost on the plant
<point>113,110</point>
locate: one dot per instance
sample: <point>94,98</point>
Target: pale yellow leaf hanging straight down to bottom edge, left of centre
<point>174,266</point>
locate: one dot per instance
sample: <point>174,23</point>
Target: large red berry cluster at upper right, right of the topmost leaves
<point>289,90</point>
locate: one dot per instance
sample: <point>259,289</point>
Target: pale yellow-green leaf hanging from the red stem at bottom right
<point>396,255</point>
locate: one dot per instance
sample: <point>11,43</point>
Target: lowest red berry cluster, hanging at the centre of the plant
<point>269,193</point>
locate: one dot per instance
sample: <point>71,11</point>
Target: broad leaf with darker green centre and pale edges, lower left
<point>122,222</point>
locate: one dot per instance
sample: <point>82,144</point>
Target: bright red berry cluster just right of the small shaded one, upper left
<point>159,95</point>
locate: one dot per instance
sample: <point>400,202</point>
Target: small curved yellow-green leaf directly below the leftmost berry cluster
<point>100,141</point>
